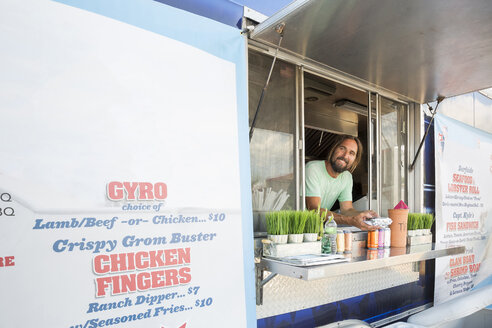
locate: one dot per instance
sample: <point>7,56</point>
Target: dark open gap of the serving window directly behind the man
<point>331,109</point>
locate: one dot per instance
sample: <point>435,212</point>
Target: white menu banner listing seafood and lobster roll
<point>463,160</point>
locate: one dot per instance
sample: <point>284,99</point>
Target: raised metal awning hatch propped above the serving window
<point>417,49</point>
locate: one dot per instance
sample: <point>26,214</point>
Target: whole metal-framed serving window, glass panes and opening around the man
<point>301,114</point>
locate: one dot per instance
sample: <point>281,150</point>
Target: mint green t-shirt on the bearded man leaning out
<point>320,184</point>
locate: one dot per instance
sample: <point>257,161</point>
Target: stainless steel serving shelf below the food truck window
<point>368,260</point>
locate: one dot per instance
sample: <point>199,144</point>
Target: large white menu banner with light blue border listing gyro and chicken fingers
<point>122,167</point>
